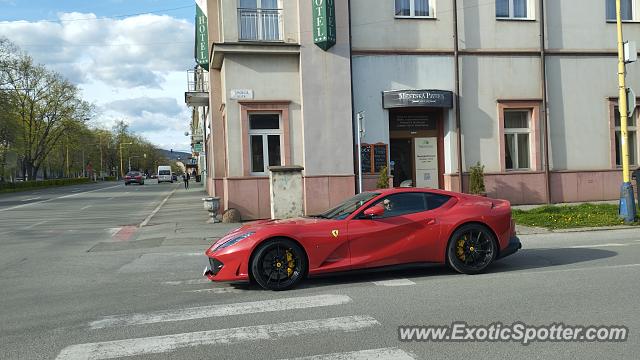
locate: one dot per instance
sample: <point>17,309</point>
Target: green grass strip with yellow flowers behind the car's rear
<point>566,217</point>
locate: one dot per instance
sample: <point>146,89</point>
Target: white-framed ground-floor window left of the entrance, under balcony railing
<point>265,141</point>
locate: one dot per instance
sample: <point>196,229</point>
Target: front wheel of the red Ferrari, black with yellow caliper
<point>279,264</point>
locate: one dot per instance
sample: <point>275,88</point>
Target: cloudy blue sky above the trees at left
<point>129,57</point>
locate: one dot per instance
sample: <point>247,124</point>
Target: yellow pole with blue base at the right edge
<point>627,206</point>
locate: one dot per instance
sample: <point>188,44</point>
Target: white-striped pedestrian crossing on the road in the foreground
<point>166,344</point>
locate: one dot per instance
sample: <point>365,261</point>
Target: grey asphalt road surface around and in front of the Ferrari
<point>80,279</point>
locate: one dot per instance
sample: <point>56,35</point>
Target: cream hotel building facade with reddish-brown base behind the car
<point>527,88</point>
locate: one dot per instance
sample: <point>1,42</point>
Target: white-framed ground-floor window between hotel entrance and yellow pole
<point>517,139</point>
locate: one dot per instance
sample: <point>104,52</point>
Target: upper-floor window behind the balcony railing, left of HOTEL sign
<point>259,20</point>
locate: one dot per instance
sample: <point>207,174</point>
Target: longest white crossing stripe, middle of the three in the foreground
<point>168,343</point>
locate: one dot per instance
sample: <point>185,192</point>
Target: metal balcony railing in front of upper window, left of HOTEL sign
<point>260,24</point>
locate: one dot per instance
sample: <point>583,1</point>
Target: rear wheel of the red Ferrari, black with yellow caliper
<point>471,249</point>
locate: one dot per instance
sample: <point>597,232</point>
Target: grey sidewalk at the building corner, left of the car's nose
<point>182,220</point>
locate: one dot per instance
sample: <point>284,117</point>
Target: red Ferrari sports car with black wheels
<point>372,229</point>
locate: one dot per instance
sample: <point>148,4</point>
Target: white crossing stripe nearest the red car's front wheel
<point>220,310</point>
